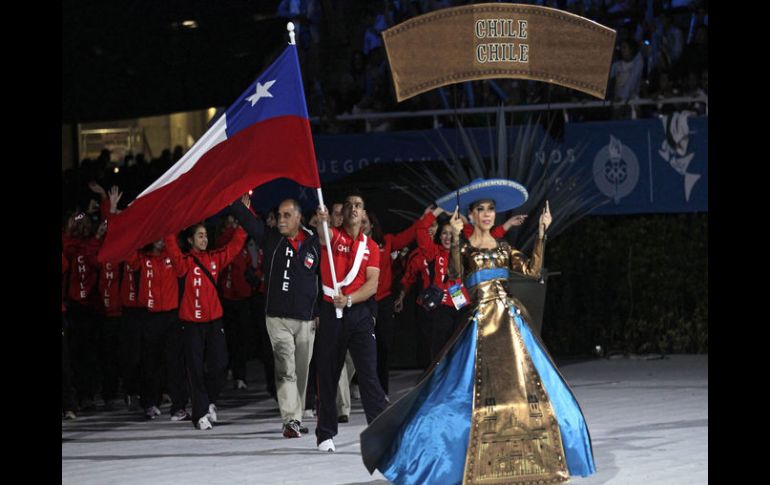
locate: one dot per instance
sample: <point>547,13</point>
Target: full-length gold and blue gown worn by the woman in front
<point>492,407</point>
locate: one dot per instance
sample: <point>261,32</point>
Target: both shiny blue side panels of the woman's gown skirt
<point>431,445</point>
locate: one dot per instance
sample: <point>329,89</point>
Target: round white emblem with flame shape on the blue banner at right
<point>616,170</point>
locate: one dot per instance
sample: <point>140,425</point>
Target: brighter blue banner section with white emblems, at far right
<point>646,166</point>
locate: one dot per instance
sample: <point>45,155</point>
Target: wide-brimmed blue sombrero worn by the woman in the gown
<point>507,195</point>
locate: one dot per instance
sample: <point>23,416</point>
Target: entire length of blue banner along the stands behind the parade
<point>642,166</point>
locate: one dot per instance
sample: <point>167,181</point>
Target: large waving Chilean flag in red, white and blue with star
<point>263,136</point>
